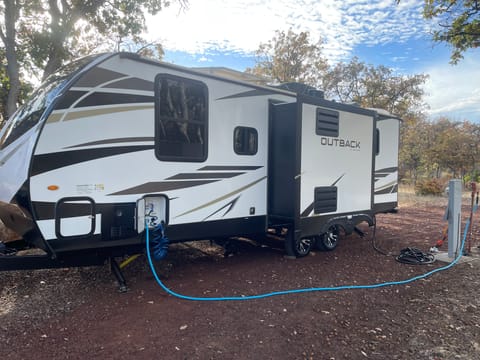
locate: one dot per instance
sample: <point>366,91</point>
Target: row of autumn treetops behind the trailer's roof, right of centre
<point>292,57</point>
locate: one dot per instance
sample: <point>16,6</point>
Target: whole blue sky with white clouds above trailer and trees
<point>379,32</point>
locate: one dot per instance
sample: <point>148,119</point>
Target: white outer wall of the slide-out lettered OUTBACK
<point>336,159</point>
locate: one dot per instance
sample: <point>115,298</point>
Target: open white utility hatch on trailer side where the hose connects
<point>151,210</point>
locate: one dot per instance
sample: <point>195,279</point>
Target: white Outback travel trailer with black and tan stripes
<point>113,142</point>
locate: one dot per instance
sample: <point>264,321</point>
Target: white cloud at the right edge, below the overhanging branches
<point>454,90</point>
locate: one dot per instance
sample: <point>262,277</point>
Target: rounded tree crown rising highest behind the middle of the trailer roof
<point>290,57</point>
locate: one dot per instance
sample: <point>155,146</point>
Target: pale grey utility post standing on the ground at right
<point>454,216</point>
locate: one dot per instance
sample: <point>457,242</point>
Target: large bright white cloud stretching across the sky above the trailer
<point>242,25</point>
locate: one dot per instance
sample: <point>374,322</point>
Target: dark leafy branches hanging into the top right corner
<point>459,23</point>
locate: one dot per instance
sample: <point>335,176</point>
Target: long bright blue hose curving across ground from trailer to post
<point>302,290</point>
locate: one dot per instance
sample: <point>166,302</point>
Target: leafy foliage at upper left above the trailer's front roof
<point>57,32</point>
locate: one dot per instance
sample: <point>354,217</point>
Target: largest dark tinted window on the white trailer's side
<point>181,119</point>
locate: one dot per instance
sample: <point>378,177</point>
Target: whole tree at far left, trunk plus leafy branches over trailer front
<point>41,35</point>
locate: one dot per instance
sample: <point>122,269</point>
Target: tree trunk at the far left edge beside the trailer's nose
<point>13,70</point>
